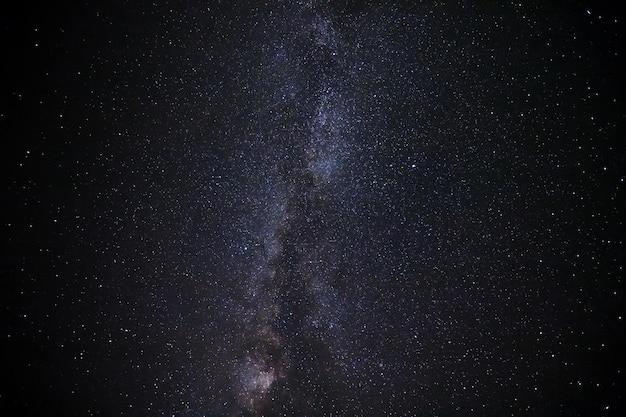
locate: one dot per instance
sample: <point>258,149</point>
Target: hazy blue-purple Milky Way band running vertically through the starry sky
<point>291,308</point>
